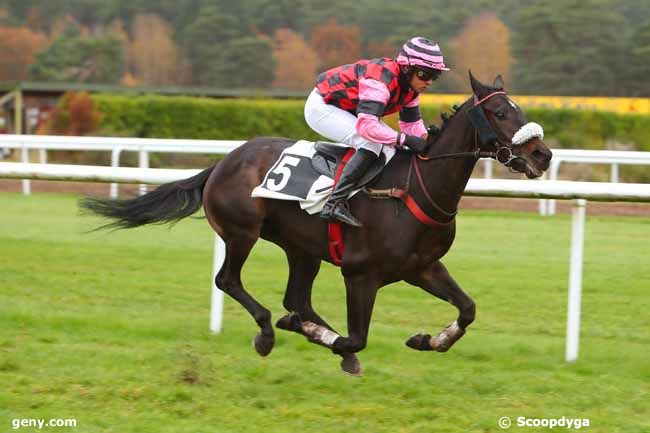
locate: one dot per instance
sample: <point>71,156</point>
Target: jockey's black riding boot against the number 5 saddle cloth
<point>337,203</point>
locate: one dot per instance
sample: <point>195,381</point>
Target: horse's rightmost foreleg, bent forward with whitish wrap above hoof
<point>437,281</point>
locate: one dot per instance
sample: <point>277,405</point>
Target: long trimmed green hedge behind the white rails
<point>240,119</point>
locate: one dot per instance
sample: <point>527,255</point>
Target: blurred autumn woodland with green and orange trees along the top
<point>572,47</point>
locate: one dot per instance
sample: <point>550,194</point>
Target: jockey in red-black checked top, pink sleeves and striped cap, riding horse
<point>348,102</point>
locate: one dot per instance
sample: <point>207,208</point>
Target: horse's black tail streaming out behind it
<point>169,203</point>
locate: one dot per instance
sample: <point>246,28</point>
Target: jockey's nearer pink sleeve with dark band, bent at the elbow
<point>373,97</point>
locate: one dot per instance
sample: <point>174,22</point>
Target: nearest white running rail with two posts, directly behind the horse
<point>579,191</point>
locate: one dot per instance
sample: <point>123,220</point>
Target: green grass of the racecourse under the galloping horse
<point>111,329</point>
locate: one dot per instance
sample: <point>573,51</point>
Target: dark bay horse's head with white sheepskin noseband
<point>503,129</point>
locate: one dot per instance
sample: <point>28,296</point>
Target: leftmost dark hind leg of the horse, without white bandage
<point>238,245</point>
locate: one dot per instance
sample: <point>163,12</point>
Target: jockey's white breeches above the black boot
<point>335,124</point>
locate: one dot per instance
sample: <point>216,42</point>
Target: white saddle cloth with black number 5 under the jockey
<point>304,172</point>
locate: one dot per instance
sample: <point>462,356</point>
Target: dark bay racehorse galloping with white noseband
<point>391,246</point>
